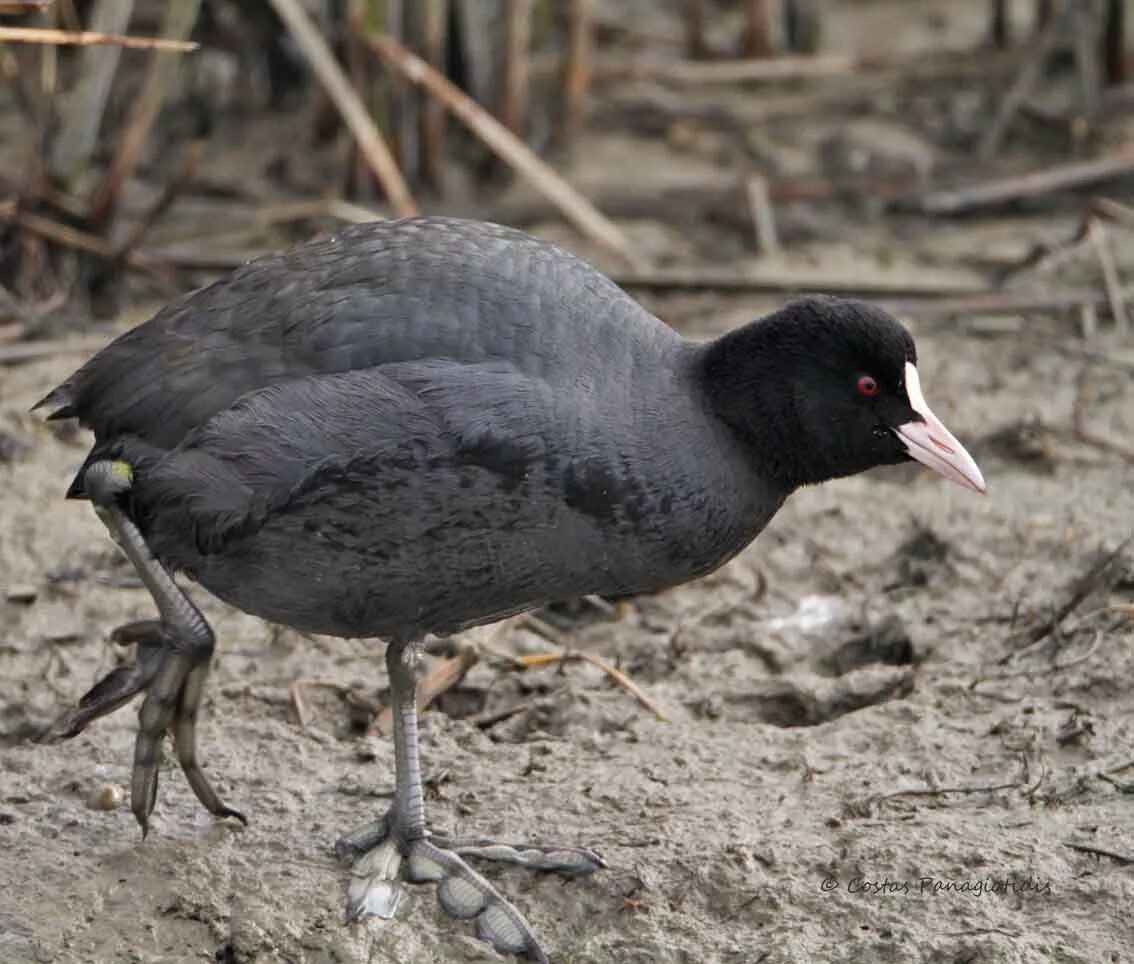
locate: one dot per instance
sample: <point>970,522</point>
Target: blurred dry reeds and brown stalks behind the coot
<point>964,160</point>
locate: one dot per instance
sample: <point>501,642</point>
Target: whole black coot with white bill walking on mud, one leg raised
<point>419,426</point>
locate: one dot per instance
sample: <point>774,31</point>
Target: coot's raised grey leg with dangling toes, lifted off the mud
<point>171,669</point>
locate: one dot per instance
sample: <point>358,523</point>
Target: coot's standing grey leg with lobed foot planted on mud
<point>401,838</point>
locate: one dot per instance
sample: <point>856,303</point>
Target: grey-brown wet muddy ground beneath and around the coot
<point>867,759</point>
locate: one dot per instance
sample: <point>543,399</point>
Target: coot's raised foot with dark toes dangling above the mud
<point>172,675</point>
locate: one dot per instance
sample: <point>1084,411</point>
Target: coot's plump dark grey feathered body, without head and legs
<point>417,426</point>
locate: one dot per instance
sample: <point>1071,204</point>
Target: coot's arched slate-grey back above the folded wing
<point>375,294</point>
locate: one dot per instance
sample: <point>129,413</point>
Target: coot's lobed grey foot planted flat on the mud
<point>386,855</point>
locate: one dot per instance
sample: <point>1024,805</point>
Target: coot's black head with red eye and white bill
<point>828,387</point>
